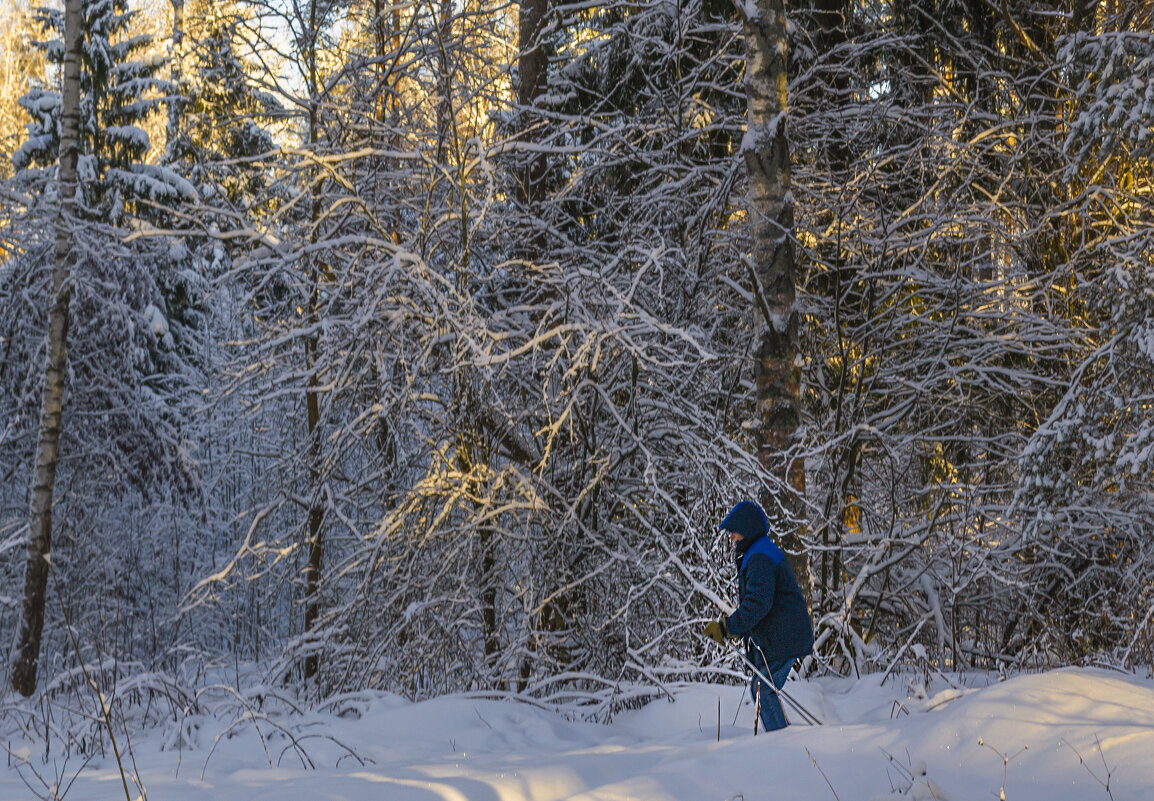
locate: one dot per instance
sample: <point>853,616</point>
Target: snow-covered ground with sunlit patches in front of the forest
<point>1063,736</point>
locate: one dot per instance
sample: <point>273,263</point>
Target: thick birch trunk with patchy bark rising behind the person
<point>777,372</point>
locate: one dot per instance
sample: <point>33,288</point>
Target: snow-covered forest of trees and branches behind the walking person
<point>411,345</point>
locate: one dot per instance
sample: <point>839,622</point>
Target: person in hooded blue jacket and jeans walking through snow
<point>771,618</point>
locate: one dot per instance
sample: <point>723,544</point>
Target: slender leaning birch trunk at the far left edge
<point>40,538</point>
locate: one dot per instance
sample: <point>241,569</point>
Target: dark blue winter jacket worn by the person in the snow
<point>771,610</point>
